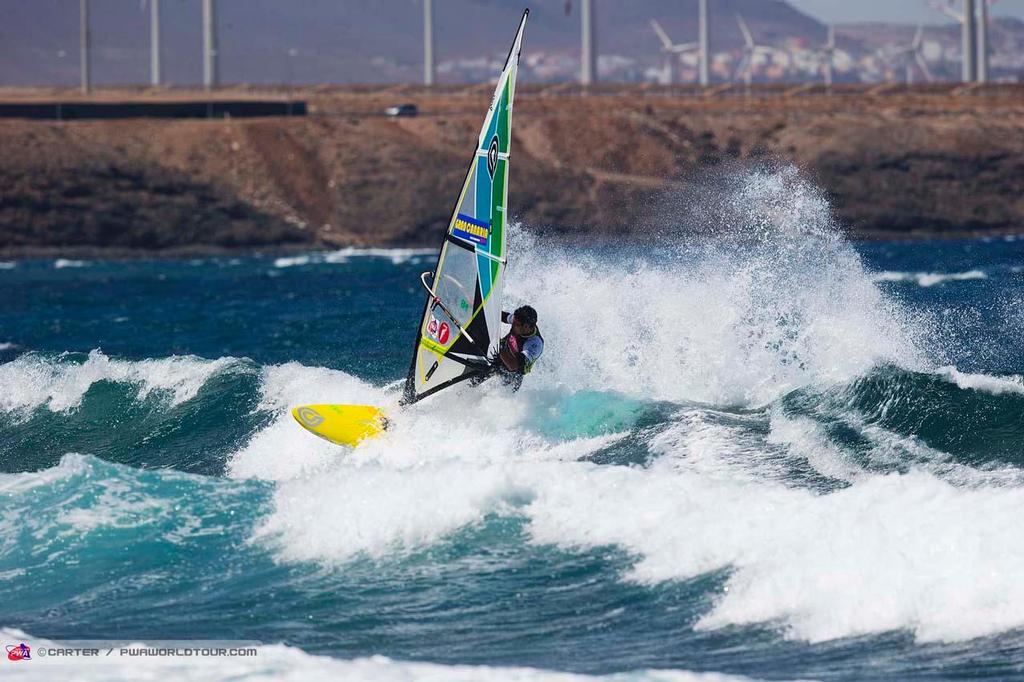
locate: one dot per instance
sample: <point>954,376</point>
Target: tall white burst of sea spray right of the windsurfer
<point>775,301</point>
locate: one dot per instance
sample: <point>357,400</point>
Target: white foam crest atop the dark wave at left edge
<point>60,383</point>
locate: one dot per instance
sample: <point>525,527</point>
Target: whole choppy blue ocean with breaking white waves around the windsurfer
<point>781,457</point>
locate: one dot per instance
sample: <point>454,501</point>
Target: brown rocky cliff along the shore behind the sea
<point>903,163</point>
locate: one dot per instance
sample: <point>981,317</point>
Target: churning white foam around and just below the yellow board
<point>422,480</point>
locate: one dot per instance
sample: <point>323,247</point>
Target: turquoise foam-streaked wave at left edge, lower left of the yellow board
<point>89,510</point>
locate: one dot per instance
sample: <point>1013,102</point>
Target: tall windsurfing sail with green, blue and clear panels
<point>460,327</point>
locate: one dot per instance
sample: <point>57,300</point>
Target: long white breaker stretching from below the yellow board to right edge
<point>794,557</point>
